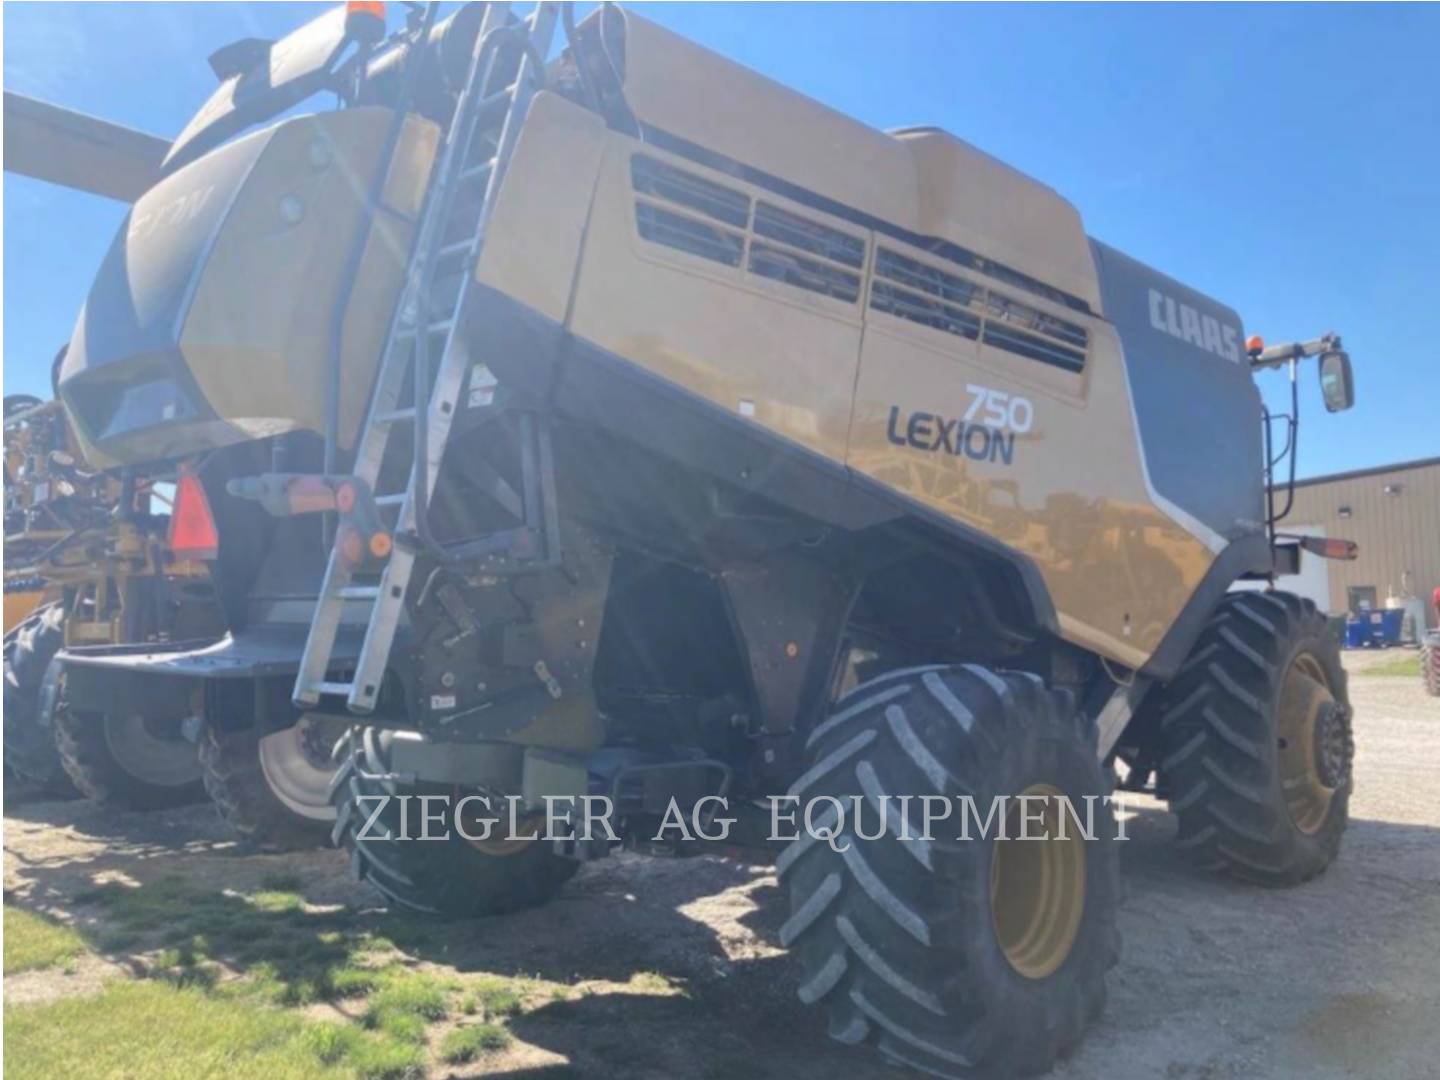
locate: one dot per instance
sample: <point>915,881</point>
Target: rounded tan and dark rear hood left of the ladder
<point>210,322</point>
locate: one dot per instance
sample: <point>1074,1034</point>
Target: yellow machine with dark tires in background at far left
<point>86,564</point>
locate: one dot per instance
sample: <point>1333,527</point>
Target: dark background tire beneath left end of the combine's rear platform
<point>129,761</point>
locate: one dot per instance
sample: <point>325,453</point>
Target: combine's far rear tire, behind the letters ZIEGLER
<point>450,878</point>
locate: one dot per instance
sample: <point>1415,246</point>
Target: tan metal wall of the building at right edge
<point>1396,532</point>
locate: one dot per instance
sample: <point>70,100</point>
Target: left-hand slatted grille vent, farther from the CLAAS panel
<point>695,215</point>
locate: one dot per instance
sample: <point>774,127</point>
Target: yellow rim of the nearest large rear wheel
<point>1038,888</point>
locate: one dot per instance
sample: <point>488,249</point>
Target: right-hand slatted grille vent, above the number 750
<point>953,305</point>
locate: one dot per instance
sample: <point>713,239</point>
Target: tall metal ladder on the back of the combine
<point>469,158</point>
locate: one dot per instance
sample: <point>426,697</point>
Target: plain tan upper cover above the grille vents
<point>922,182</point>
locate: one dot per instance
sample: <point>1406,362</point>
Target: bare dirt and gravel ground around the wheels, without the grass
<point>1218,980</point>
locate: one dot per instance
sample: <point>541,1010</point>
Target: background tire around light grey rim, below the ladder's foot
<point>237,784</point>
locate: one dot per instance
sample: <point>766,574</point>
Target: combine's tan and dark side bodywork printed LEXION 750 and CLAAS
<point>911,318</point>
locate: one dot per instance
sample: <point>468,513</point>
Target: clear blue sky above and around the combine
<point>1284,159</point>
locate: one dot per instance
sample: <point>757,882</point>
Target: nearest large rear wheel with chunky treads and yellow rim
<point>963,958</point>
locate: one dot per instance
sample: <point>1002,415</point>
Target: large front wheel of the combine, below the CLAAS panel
<point>1258,742</point>
